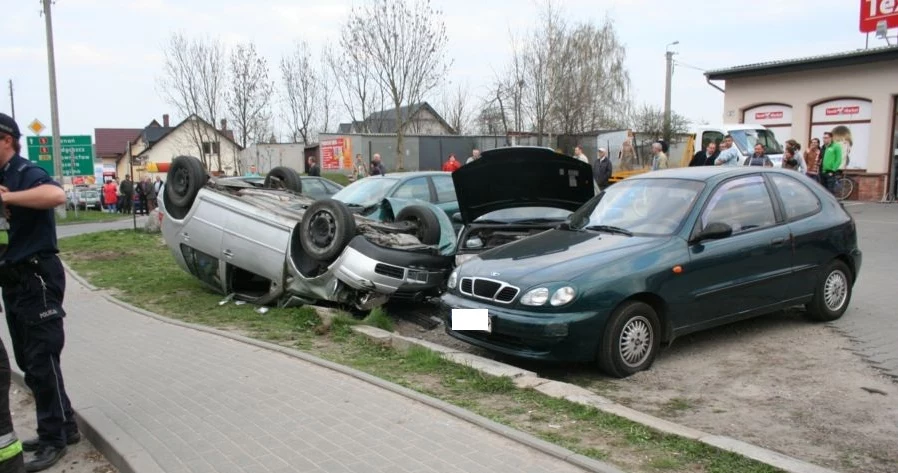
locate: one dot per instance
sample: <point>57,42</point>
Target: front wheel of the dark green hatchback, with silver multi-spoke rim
<point>631,340</point>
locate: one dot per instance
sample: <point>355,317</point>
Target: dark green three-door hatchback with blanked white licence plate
<point>655,257</point>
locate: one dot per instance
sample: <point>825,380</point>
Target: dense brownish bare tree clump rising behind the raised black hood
<point>566,78</point>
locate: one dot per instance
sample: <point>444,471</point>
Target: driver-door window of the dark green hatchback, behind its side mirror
<point>742,203</point>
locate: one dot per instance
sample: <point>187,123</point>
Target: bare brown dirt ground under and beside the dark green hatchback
<point>777,381</point>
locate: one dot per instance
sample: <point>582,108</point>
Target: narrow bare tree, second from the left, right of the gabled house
<point>249,97</point>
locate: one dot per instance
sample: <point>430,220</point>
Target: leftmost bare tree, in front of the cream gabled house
<point>193,81</point>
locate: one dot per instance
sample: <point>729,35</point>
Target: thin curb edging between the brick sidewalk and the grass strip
<point>515,435</point>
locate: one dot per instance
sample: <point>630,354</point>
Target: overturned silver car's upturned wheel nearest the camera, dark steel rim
<point>326,228</point>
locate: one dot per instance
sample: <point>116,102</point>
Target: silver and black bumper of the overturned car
<point>389,271</point>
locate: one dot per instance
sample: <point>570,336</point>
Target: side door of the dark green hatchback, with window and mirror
<point>743,274</point>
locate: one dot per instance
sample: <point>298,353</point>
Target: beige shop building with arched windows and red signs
<point>802,98</point>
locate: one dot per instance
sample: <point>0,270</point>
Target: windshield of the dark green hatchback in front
<point>641,206</point>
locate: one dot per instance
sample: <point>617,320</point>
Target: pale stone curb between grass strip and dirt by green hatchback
<point>525,379</point>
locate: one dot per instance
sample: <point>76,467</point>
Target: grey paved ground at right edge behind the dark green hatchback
<point>872,319</point>
